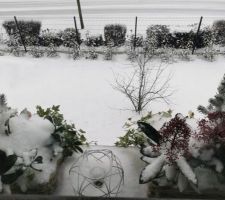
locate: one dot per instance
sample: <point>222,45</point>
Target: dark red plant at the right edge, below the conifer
<point>212,129</point>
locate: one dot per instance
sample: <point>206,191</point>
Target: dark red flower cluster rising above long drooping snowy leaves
<point>175,138</point>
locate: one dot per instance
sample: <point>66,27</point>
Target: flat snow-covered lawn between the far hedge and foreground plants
<point>83,89</point>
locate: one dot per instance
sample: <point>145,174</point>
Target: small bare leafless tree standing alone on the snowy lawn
<point>146,83</point>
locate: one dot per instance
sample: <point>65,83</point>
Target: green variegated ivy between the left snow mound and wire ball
<point>65,138</point>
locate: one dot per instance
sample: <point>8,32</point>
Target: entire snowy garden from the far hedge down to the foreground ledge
<point>118,114</point>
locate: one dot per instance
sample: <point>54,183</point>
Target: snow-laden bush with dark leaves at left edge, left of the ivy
<point>18,154</point>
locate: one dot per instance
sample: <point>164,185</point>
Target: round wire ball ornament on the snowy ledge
<point>97,173</point>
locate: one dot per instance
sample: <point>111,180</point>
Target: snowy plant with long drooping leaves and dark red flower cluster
<point>176,153</point>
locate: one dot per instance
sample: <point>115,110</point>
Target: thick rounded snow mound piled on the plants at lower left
<point>27,137</point>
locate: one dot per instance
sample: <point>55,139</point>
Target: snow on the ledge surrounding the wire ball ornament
<point>129,158</point>
